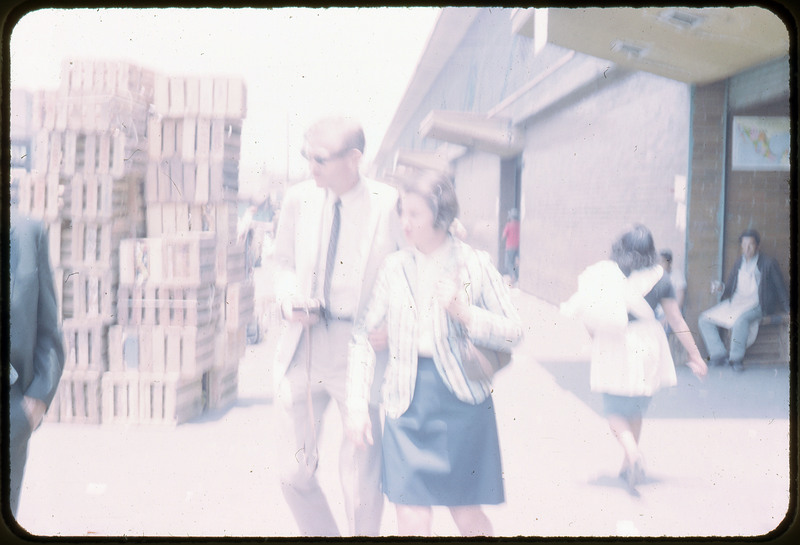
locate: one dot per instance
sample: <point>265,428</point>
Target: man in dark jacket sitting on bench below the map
<point>755,289</point>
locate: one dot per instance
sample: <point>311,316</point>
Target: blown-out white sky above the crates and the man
<point>298,63</point>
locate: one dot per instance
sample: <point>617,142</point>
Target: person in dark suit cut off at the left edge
<point>36,354</point>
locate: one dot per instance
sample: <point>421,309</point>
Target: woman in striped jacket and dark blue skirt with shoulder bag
<point>440,442</point>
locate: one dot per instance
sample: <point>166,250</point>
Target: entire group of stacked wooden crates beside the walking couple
<point>136,177</point>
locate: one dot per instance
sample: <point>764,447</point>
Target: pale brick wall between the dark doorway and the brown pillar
<point>593,166</point>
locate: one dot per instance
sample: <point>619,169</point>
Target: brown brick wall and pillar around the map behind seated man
<point>724,202</point>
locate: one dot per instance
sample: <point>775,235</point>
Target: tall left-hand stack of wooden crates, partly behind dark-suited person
<point>85,182</point>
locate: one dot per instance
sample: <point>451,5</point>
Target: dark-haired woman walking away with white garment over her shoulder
<point>631,360</point>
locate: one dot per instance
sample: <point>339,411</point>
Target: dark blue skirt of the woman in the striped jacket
<point>442,451</point>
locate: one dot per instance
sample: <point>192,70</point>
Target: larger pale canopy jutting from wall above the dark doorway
<point>473,130</point>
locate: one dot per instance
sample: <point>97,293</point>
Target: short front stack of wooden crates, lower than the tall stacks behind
<point>163,342</point>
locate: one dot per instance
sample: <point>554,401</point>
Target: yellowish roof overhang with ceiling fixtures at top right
<point>691,45</point>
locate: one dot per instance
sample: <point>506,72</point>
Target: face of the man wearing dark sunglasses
<point>332,165</point>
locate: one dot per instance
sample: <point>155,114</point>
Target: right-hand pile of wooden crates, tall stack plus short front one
<point>175,350</point>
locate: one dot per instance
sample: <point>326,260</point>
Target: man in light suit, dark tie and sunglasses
<point>333,234</point>
